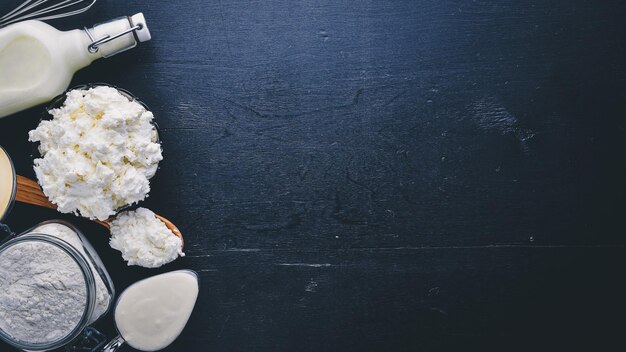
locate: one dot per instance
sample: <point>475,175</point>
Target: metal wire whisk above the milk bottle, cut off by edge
<point>46,10</point>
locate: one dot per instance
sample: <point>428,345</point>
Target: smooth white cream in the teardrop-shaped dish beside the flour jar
<point>151,313</point>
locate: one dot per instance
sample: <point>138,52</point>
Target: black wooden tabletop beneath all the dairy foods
<point>380,175</point>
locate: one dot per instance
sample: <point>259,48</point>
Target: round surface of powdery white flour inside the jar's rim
<point>42,292</point>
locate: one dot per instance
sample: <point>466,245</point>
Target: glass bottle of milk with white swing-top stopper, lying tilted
<point>37,61</point>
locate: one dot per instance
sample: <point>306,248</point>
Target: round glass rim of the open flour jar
<point>90,288</point>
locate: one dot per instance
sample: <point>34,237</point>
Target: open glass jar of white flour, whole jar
<point>53,286</point>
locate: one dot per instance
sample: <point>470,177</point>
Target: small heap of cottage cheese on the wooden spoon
<point>143,239</point>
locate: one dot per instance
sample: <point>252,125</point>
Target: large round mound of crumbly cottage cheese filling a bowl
<point>99,152</point>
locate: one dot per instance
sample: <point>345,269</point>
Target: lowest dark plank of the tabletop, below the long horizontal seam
<point>404,299</point>
